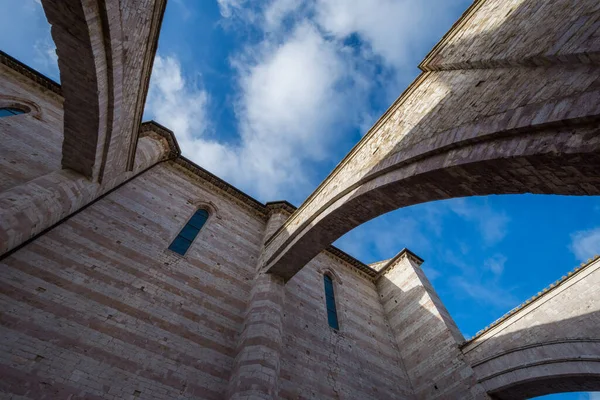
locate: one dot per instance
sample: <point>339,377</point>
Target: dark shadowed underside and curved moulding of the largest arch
<point>556,160</point>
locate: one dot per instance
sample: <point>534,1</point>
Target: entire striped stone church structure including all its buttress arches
<point>93,304</point>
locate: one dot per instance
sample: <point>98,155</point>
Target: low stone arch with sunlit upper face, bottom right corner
<point>550,345</point>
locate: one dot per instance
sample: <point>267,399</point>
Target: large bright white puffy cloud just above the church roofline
<point>287,107</point>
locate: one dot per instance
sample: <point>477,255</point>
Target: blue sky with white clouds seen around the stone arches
<point>271,95</point>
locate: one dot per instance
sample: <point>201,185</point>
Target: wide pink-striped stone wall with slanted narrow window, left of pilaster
<point>99,307</point>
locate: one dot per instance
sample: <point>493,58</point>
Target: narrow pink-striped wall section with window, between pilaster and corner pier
<point>358,362</point>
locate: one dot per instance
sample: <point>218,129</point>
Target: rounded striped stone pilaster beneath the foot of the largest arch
<point>255,373</point>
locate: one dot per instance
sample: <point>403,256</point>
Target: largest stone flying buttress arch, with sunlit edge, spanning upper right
<point>515,122</point>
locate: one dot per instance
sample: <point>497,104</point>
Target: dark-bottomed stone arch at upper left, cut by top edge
<point>104,78</point>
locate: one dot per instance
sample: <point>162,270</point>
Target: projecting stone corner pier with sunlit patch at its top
<point>427,337</point>
